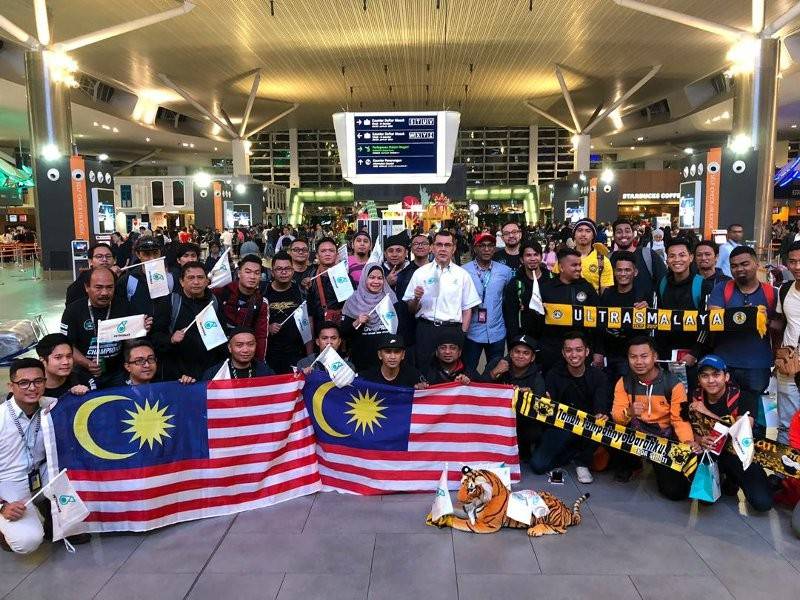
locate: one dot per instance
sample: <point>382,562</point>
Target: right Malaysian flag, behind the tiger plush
<point>374,439</point>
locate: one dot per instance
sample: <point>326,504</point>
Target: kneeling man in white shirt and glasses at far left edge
<point>22,456</point>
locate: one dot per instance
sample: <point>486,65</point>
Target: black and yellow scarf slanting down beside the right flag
<point>675,455</point>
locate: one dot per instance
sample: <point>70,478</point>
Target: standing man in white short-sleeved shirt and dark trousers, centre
<point>441,294</point>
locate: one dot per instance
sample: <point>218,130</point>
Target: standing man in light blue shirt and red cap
<point>487,330</point>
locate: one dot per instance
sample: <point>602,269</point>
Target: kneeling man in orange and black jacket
<point>651,400</point>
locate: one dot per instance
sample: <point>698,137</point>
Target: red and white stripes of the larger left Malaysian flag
<point>261,452</point>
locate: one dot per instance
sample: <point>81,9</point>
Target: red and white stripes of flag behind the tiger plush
<point>454,424</point>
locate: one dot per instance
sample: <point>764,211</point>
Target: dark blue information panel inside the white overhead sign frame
<point>395,144</point>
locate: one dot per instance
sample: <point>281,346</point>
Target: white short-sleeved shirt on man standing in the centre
<point>448,292</point>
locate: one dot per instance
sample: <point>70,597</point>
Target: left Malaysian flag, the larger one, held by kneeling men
<point>151,455</point>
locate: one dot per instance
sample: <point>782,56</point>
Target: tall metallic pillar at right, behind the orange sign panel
<point>754,116</point>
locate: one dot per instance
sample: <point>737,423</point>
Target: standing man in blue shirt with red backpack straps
<point>747,354</point>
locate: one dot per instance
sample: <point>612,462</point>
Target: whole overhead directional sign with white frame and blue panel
<point>397,147</point>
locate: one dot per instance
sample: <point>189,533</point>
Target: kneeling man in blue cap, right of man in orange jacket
<point>718,397</point>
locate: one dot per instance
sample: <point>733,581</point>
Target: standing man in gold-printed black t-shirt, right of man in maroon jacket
<point>285,346</point>
